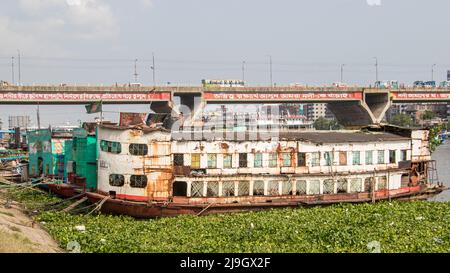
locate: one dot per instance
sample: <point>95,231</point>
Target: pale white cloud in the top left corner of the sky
<point>47,26</point>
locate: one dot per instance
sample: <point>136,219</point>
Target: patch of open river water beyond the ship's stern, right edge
<point>442,157</point>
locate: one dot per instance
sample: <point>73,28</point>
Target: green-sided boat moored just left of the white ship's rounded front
<point>66,159</point>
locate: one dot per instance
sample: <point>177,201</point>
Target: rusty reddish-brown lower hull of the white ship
<point>207,206</point>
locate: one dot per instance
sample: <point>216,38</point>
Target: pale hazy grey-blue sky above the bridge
<point>96,41</point>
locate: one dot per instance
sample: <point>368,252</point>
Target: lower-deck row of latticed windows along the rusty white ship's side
<point>276,187</point>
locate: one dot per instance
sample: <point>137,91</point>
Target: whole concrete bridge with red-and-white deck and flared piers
<point>352,106</point>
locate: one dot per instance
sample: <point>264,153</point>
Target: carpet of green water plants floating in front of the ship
<point>419,226</point>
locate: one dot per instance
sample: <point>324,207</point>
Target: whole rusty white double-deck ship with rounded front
<point>153,172</point>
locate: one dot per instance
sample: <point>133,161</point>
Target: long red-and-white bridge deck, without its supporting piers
<point>142,94</point>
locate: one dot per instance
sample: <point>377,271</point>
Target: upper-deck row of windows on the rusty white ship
<point>287,158</point>
